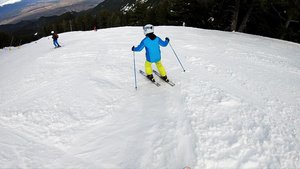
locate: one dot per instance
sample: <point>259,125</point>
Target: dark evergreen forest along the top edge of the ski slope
<point>272,18</point>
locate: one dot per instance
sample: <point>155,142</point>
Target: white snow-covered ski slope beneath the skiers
<point>236,106</point>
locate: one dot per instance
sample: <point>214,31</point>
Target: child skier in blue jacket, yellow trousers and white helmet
<point>152,44</point>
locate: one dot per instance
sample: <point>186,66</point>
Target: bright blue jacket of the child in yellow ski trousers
<point>152,48</point>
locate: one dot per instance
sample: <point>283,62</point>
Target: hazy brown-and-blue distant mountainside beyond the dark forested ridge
<point>33,9</point>
